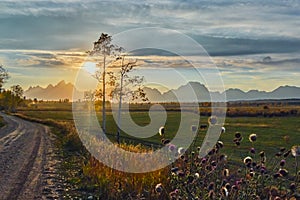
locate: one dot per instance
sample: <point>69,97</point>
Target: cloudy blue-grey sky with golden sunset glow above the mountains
<point>254,44</point>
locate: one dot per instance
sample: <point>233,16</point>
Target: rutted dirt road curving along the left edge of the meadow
<point>28,161</point>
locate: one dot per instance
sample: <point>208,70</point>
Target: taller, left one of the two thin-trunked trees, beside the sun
<point>103,48</point>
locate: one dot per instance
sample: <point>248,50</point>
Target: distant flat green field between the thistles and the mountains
<point>273,132</point>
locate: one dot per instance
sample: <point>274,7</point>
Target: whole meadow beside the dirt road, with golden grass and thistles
<point>276,127</point>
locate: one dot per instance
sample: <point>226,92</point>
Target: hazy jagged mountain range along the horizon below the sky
<point>192,91</point>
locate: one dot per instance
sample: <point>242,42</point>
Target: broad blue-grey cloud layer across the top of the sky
<point>56,25</point>
